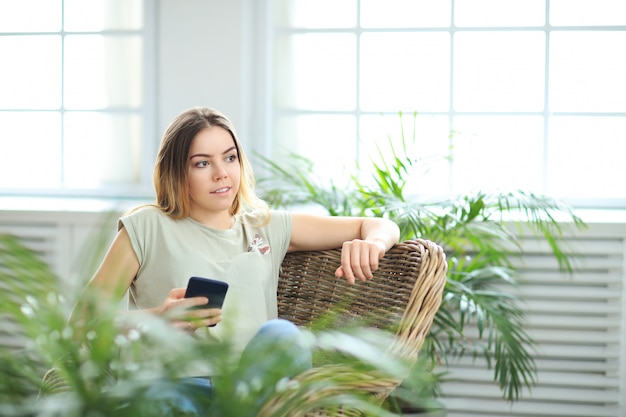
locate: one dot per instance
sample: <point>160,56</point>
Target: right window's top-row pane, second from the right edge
<point>489,13</point>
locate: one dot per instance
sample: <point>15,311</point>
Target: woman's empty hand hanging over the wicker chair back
<point>359,259</point>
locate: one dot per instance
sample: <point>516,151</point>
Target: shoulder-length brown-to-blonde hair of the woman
<point>170,172</point>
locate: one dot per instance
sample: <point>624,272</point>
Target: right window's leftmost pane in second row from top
<point>316,72</point>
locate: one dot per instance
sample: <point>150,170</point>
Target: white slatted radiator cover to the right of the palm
<point>578,321</point>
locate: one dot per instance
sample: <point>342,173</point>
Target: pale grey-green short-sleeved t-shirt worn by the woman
<point>248,258</point>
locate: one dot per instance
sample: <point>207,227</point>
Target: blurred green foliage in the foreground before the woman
<point>107,360</point>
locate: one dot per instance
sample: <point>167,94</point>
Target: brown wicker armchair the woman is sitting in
<point>404,296</point>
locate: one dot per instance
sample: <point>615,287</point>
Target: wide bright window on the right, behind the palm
<point>533,91</point>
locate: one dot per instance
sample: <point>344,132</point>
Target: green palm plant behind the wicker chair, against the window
<point>474,229</point>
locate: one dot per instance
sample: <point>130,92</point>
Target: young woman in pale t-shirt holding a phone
<point>208,222</point>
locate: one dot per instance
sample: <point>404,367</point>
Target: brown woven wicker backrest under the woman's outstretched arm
<point>404,295</point>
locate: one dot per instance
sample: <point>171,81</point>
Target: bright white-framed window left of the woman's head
<point>72,97</point>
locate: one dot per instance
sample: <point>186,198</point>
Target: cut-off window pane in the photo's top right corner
<point>587,12</point>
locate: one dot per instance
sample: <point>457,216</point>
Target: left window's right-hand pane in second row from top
<point>102,71</point>
